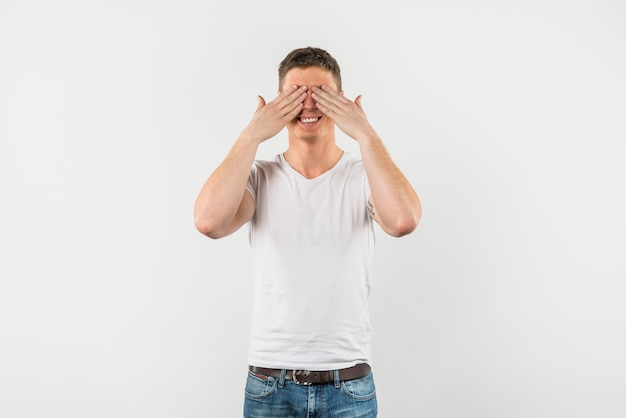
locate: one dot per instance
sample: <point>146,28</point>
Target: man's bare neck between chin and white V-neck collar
<point>312,159</point>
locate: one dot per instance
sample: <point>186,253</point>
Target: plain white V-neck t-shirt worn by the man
<point>312,245</point>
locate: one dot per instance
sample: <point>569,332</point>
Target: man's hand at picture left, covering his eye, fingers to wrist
<point>269,119</point>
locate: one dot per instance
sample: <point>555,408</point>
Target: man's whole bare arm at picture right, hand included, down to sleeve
<point>393,202</point>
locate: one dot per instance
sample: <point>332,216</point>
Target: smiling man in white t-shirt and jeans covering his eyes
<point>310,214</point>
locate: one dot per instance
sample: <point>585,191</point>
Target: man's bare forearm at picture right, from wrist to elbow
<point>395,204</point>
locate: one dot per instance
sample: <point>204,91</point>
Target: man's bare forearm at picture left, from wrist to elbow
<point>220,198</point>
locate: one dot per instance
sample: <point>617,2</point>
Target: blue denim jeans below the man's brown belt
<point>269,397</point>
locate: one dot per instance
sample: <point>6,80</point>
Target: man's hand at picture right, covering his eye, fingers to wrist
<point>348,115</point>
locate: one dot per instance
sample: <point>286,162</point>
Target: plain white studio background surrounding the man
<point>507,117</point>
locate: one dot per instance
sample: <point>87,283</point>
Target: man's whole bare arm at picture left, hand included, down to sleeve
<point>223,204</point>
